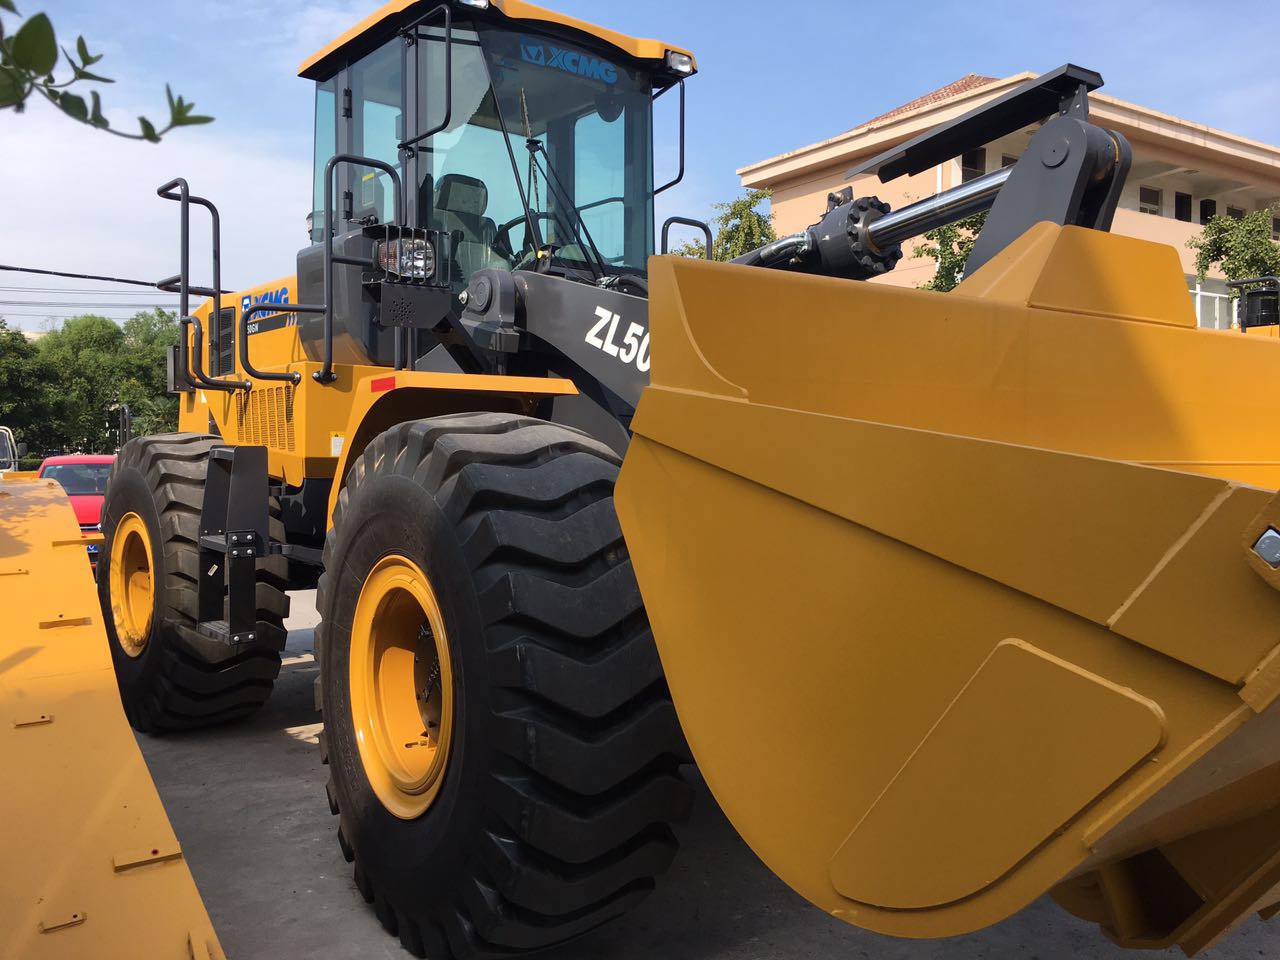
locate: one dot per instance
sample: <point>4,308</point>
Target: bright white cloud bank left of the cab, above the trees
<point>81,200</point>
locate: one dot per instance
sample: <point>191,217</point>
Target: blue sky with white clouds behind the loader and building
<point>774,76</point>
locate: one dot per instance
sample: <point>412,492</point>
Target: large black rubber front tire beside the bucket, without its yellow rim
<point>555,810</point>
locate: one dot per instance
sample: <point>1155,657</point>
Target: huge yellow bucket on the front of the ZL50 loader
<point>966,598</point>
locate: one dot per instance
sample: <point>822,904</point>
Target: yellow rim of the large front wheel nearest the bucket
<point>401,687</point>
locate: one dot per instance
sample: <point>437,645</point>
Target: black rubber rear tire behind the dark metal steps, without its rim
<point>181,680</point>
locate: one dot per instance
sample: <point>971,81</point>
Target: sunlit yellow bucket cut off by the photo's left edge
<point>93,867</point>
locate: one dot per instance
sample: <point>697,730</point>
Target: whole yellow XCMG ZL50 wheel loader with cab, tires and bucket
<point>956,600</point>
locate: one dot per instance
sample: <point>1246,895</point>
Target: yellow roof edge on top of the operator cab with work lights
<point>323,63</point>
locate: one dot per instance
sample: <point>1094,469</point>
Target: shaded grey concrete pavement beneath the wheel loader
<point>248,803</point>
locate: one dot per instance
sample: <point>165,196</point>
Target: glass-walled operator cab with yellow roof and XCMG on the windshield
<point>525,144</point>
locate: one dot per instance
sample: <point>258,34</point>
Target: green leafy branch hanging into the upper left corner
<point>29,58</point>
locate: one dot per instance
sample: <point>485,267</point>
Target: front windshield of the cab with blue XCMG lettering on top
<point>591,120</point>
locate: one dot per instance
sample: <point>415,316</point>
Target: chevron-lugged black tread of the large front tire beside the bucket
<point>579,806</point>
